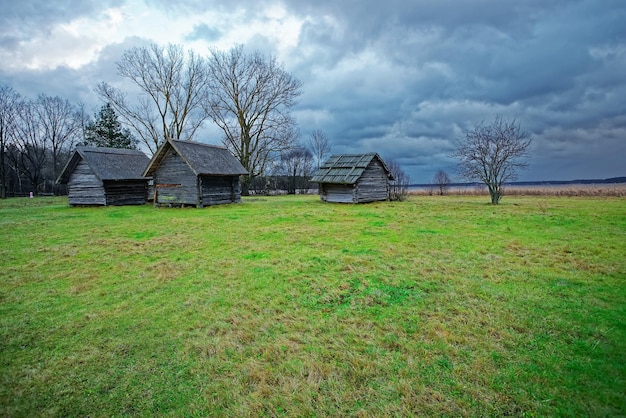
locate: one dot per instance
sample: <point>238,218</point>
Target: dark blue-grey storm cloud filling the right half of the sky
<point>557,67</point>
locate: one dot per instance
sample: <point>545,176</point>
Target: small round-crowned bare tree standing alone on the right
<point>493,154</point>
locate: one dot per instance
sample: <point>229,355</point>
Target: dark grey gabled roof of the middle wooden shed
<point>202,158</point>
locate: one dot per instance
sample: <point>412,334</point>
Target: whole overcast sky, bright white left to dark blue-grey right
<point>402,78</point>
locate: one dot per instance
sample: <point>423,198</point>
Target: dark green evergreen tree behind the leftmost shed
<point>106,131</point>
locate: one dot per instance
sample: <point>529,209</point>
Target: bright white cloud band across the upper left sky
<point>78,41</point>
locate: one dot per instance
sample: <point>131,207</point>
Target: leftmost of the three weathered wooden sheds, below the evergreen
<point>105,176</point>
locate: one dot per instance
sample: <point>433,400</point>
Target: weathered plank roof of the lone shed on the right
<point>346,168</point>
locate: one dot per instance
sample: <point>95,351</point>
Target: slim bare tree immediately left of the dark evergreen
<point>61,125</point>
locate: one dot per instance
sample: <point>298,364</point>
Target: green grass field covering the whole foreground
<point>290,306</point>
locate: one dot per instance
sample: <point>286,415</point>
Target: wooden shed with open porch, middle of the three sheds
<point>195,174</point>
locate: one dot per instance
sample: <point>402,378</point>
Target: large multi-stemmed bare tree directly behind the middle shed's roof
<point>173,84</point>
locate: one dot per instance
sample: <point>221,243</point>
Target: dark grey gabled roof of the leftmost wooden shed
<point>108,163</point>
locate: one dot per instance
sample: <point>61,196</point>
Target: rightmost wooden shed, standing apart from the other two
<point>353,178</point>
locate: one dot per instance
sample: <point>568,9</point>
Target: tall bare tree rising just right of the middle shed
<point>251,101</point>
